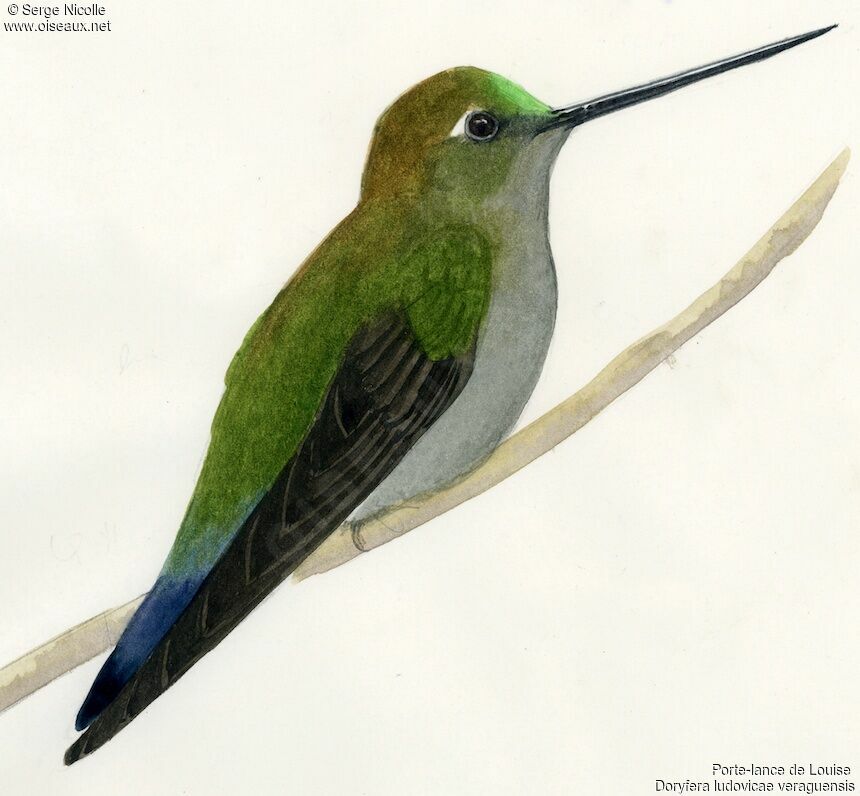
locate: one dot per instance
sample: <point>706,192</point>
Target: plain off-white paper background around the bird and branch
<point>674,586</point>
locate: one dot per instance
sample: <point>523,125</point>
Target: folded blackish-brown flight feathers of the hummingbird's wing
<point>386,394</point>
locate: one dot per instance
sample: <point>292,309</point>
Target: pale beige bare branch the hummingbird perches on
<point>83,642</point>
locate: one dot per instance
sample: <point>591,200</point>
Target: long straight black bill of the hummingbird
<point>574,115</point>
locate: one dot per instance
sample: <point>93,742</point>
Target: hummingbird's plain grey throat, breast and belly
<point>511,348</point>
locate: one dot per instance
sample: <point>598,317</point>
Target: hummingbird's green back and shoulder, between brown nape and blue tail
<point>280,374</point>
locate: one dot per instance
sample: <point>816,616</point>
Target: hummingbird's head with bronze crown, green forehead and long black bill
<point>464,131</point>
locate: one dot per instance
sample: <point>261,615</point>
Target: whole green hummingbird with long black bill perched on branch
<point>392,363</point>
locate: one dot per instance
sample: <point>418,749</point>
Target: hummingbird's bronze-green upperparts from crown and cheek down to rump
<point>412,245</point>
